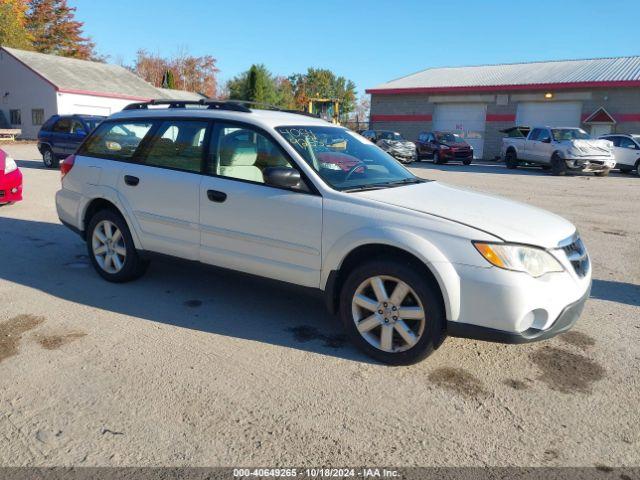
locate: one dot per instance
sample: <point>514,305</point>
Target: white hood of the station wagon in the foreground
<point>507,219</point>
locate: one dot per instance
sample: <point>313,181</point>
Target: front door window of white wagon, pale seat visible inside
<point>241,152</point>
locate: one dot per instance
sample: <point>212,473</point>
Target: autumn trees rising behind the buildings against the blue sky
<point>50,26</point>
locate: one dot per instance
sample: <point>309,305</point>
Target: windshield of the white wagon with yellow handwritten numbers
<point>345,160</point>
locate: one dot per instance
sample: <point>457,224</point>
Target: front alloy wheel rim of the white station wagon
<point>391,323</point>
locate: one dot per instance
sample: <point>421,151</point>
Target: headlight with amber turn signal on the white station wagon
<point>534,261</point>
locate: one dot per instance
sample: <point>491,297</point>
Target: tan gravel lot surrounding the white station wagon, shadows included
<point>192,366</point>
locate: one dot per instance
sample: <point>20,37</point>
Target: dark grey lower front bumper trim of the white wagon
<point>564,322</point>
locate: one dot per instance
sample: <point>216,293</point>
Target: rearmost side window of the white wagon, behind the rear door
<point>118,141</point>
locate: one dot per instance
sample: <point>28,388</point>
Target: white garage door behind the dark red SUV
<point>466,119</point>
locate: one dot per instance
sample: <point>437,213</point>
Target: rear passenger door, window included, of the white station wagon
<point>161,185</point>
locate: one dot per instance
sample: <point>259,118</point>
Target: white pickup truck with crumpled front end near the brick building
<point>557,149</point>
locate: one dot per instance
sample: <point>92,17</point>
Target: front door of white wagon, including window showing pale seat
<point>249,226</point>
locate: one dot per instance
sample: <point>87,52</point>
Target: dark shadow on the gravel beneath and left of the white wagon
<point>49,257</point>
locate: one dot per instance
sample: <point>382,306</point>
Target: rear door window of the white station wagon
<point>177,144</point>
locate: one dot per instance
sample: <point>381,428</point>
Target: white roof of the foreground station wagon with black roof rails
<point>262,118</point>
